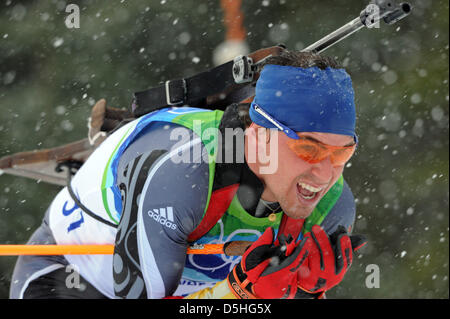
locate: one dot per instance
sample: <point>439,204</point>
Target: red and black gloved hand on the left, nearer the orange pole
<point>269,271</point>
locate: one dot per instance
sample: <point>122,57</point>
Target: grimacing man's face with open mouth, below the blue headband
<point>296,184</point>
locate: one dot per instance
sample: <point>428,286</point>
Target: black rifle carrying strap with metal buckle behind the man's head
<point>218,87</point>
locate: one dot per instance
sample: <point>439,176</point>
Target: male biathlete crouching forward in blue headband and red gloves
<point>172,178</point>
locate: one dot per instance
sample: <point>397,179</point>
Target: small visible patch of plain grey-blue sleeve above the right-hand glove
<point>343,212</point>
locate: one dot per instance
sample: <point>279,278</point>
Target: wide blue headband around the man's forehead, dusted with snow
<point>295,99</point>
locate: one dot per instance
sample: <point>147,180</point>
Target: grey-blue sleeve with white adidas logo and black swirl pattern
<point>164,187</point>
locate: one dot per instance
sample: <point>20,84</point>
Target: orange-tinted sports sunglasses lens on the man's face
<point>313,151</point>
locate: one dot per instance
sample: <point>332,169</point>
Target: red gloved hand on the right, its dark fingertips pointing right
<point>329,258</point>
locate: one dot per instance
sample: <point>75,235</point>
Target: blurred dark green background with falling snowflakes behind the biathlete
<point>50,76</point>
